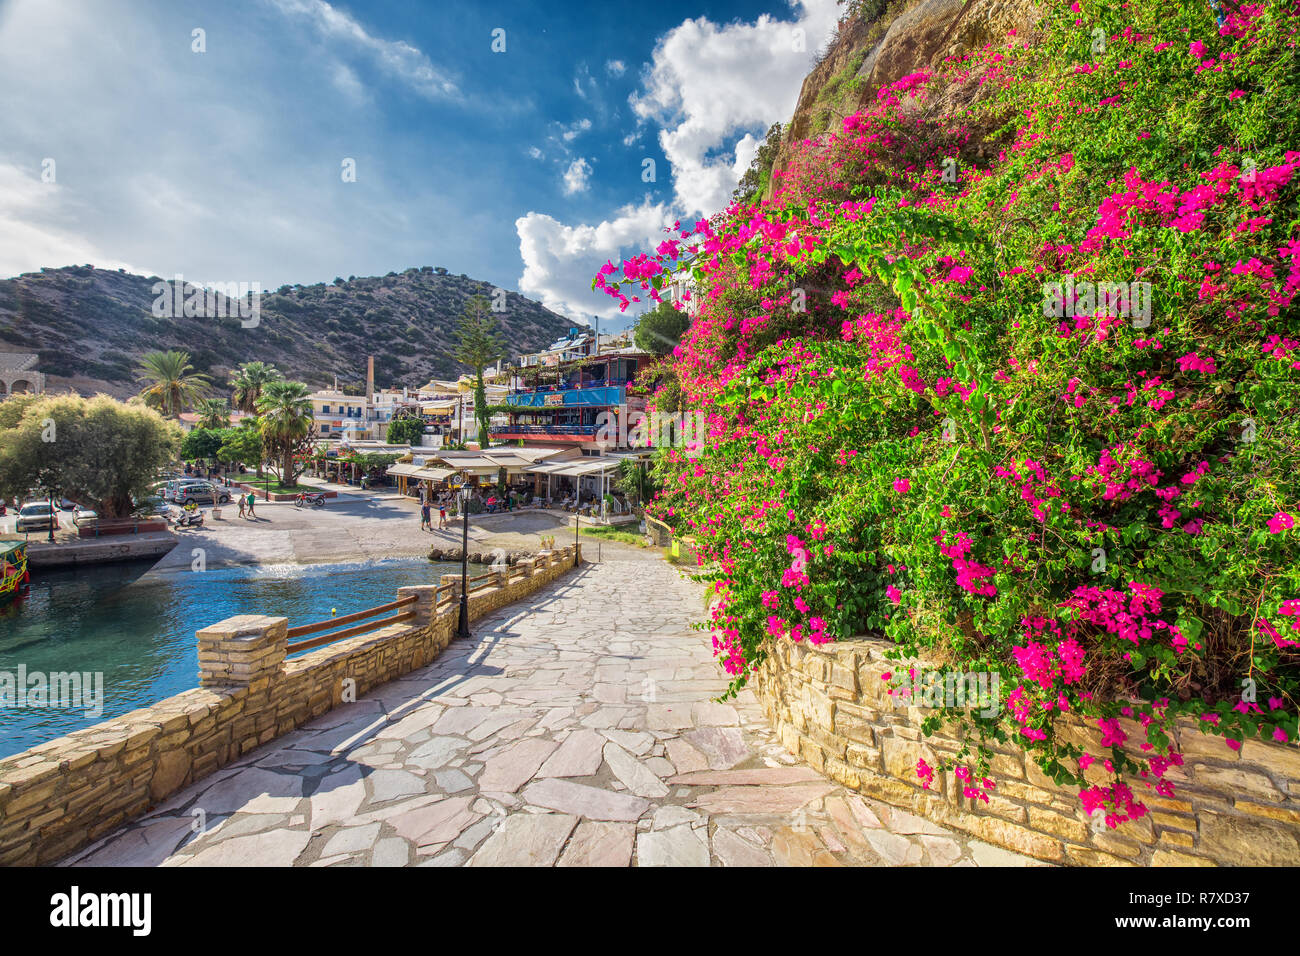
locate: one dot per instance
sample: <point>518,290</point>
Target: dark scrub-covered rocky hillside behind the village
<point>90,326</point>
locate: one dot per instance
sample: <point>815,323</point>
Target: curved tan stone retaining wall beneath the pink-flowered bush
<point>830,707</point>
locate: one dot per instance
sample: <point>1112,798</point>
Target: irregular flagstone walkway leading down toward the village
<point>578,729</point>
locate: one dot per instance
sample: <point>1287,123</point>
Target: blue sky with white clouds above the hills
<point>525,167</point>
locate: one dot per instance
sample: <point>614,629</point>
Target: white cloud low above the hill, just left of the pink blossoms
<point>561,261</point>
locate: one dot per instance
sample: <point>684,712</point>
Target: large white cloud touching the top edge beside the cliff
<point>708,84</point>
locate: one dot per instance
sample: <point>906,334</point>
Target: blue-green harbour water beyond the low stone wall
<point>137,629</point>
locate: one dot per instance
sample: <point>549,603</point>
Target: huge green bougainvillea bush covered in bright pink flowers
<point>1008,369</point>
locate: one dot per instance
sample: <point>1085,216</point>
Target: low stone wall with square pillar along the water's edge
<point>64,794</point>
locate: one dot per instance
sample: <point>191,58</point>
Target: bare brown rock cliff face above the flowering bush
<point>877,50</point>
